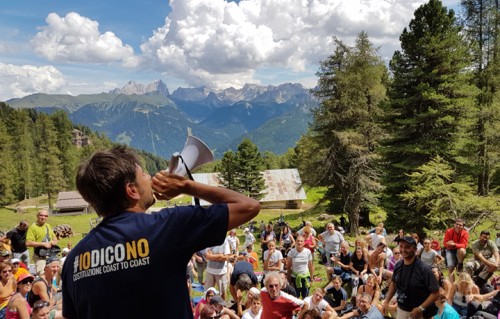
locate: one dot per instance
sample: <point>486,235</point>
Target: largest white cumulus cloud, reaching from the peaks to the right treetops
<point>221,43</point>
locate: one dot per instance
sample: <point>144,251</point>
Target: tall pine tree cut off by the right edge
<point>481,145</point>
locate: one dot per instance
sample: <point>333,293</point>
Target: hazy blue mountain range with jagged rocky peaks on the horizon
<point>151,118</point>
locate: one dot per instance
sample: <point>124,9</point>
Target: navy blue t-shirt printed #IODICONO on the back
<point>133,265</point>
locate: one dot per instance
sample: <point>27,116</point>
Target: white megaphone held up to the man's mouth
<point>194,154</point>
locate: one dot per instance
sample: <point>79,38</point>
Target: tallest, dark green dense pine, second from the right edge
<point>430,94</point>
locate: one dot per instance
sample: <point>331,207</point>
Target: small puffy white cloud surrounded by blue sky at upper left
<point>74,38</point>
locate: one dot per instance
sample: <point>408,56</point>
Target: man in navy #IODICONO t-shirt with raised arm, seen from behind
<point>133,265</point>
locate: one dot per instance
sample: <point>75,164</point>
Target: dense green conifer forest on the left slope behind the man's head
<point>39,157</point>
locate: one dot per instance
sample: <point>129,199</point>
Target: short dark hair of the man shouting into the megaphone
<point>102,179</point>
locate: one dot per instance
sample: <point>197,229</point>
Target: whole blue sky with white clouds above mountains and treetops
<point>76,47</point>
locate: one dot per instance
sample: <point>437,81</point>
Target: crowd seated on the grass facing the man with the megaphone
<point>238,283</point>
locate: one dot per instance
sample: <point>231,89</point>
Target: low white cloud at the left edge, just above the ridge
<point>18,81</point>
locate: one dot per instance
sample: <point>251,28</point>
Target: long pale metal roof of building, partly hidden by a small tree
<point>281,184</point>
